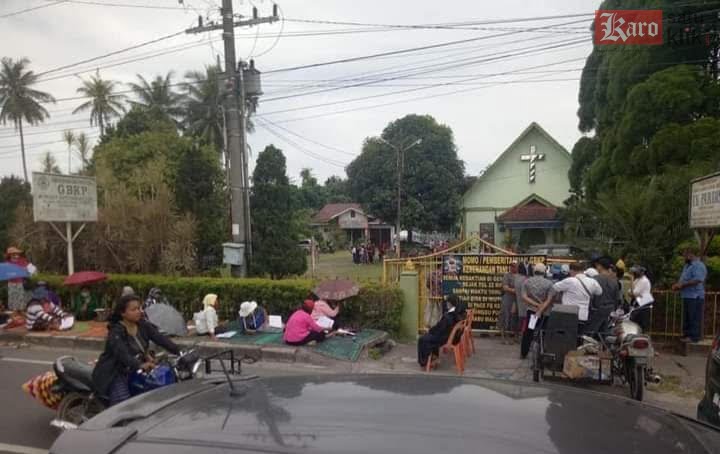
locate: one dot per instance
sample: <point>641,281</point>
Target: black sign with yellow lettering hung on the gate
<point>477,280</point>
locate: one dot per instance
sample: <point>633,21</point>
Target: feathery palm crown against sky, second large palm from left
<point>103,104</point>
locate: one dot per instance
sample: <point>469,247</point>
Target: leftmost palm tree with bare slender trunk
<point>19,101</point>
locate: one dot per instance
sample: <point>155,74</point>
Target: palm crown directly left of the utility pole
<point>204,117</point>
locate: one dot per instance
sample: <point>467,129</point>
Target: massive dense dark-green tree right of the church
<point>653,114</point>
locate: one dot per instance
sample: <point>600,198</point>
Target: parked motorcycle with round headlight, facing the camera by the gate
<point>631,351</point>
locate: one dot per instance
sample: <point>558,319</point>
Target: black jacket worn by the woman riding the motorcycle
<point>123,355</point>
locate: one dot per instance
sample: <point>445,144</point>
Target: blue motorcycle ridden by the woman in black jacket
<point>80,403</point>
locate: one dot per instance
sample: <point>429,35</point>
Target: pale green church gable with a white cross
<point>534,163</point>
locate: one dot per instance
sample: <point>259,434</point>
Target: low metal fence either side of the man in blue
<point>667,315</point>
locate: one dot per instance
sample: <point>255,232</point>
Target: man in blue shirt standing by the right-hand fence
<point>692,290</point>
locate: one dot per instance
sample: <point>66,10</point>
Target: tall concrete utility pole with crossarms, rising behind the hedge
<point>235,125</point>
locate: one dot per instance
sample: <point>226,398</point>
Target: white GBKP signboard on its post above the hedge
<point>64,198</point>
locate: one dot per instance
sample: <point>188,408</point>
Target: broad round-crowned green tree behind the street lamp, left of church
<point>433,176</point>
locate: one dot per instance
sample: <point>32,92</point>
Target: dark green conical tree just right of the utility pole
<point>275,232</point>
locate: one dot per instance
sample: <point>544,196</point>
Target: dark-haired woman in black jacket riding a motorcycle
<point>126,350</point>
